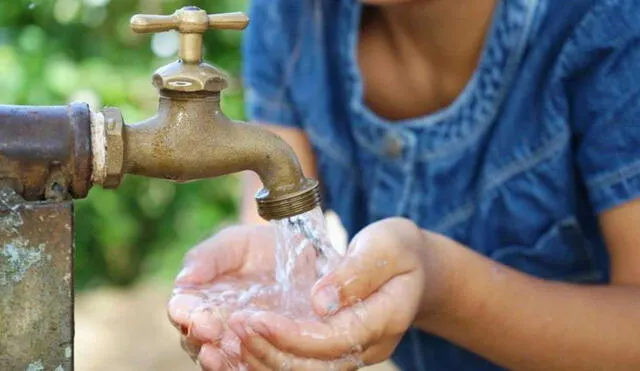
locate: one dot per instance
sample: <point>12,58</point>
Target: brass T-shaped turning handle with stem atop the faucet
<point>191,22</point>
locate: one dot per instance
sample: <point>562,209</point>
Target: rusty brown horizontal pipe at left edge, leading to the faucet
<point>45,152</point>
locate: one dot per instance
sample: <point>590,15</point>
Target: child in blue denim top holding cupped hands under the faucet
<point>510,127</point>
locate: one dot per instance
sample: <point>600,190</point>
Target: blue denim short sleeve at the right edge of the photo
<point>606,103</point>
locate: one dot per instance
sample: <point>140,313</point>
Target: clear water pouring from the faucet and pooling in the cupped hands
<point>302,255</point>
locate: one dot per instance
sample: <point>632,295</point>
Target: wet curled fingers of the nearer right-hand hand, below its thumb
<point>349,331</point>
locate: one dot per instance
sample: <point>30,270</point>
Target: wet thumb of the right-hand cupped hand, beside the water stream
<point>375,256</point>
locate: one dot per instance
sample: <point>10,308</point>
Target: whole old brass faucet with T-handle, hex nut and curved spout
<point>190,138</point>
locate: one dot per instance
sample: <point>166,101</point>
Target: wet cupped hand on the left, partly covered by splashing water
<point>242,252</point>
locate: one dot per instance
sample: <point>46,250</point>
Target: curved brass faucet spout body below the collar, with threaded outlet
<point>190,138</point>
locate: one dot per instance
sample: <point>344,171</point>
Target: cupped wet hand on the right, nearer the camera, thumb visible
<point>369,301</point>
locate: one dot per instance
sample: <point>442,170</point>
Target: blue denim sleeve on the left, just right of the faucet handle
<point>267,59</point>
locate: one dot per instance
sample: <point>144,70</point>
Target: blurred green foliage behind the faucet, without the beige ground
<point>56,51</point>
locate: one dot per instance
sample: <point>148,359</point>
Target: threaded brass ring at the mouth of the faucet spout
<point>284,206</point>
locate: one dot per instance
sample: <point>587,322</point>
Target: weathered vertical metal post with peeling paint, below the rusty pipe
<point>36,284</point>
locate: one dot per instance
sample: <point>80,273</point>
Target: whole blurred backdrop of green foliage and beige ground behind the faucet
<point>129,243</point>
